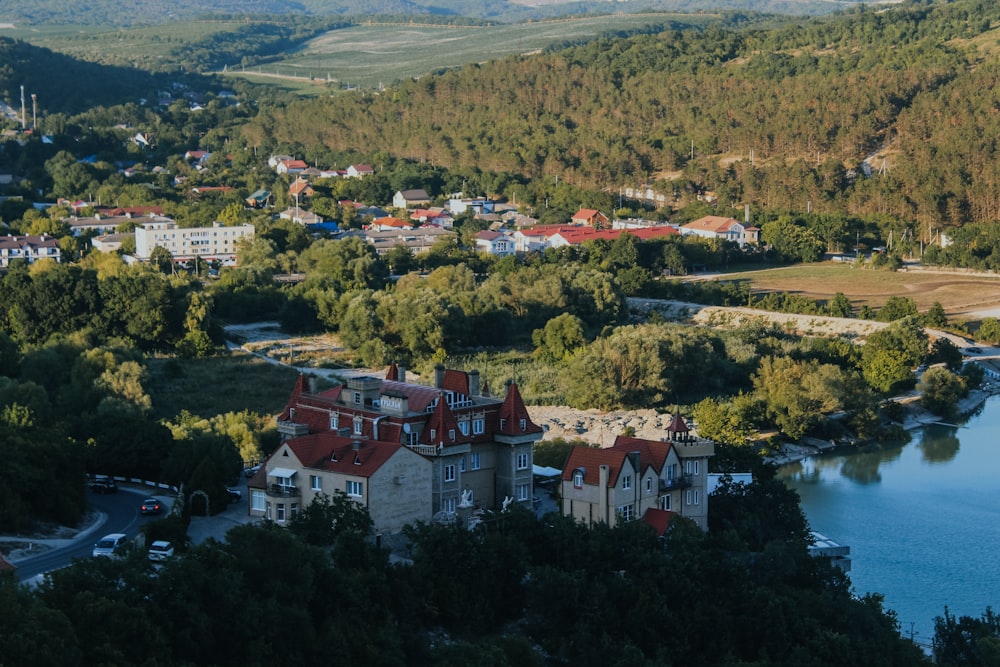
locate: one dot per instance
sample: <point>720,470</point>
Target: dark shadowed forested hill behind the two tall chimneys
<point>64,84</point>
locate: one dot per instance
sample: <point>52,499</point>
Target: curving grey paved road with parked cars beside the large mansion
<point>120,514</point>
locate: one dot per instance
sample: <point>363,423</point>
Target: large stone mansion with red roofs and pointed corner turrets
<point>402,449</point>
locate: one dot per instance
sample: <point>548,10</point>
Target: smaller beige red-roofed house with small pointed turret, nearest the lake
<point>623,482</point>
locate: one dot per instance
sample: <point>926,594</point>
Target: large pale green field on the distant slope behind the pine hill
<point>369,55</point>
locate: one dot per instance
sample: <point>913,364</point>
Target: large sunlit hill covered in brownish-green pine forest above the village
<point>914,86</point>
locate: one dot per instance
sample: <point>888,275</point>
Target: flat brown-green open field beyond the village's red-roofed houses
<point>963,295</point>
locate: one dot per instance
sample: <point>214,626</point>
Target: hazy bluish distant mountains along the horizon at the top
<point>133,12</point>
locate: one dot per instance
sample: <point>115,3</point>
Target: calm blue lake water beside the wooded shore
<point>922,519</point>
